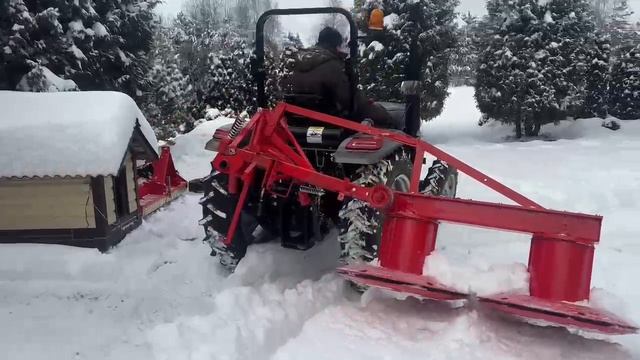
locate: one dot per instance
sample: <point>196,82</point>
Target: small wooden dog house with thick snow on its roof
<point>67,167</point>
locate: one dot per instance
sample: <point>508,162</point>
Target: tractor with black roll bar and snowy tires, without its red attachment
<point>332,150</point>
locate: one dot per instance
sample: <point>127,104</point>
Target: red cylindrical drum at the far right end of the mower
<point>560,270</point>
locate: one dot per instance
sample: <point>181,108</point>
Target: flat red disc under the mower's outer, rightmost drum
<point>560,313</point>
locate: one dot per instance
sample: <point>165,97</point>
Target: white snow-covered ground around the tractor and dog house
<point>160,296</point>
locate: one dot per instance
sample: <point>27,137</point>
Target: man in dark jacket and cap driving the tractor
<point>319,77</point>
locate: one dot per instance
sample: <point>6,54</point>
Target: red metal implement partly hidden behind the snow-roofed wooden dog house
<point>164,185</point>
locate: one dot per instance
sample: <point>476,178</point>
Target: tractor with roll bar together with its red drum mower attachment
<point>293,172</point>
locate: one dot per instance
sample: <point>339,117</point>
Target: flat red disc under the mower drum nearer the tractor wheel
<point>419,285</point>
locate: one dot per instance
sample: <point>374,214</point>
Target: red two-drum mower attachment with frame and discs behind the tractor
<point>562,244</point>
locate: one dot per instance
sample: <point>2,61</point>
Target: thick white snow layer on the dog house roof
<point>70,133</point>
